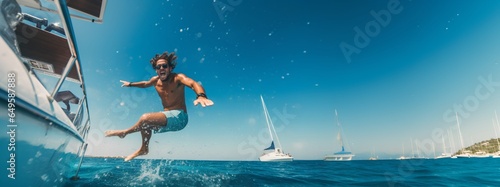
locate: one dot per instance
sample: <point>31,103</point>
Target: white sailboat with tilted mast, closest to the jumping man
<point>273,153</point>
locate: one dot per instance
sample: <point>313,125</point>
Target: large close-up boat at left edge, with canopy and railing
<point>43,90</point>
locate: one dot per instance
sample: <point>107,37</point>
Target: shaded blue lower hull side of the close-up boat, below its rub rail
<point>45,153</point>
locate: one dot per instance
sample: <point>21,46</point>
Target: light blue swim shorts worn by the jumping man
<point>176,120</point>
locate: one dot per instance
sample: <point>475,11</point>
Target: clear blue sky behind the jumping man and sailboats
<point>428,61</point>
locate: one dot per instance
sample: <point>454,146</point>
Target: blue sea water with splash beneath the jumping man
<point>427,172</point>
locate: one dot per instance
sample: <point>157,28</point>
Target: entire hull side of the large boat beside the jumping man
<point>42,146</point>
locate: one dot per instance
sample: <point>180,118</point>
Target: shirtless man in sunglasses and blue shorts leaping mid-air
<point>170,88</point>
